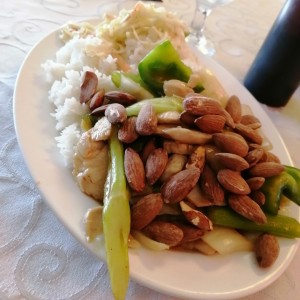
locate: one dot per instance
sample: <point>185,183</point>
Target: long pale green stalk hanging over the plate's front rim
<point>116,220</point>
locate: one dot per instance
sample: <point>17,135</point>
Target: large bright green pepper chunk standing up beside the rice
<point>160,64</point>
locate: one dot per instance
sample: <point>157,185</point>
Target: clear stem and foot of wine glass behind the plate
<point>197,36</point>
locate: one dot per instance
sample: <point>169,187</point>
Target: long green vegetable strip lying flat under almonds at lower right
<point>278,225</point>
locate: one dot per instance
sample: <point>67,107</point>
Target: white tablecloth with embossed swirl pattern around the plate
<point>39,258</point>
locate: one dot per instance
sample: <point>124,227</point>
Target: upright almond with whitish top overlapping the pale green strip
<point>146,122</point>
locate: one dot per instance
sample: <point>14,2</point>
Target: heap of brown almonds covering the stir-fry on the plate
<point>176,164</point>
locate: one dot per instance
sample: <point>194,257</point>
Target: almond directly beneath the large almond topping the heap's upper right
<point>210,123</point>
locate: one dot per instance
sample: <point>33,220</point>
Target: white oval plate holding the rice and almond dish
<point>187,275</point>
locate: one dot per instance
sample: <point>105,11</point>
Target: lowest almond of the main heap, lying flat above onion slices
<point>164,232</point>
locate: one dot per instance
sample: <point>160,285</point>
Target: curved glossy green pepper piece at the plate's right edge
<point>287,183</point>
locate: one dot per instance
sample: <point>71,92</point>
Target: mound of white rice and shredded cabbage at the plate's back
<point>95,48</point>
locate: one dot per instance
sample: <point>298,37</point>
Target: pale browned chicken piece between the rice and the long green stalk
<point>90,165</point>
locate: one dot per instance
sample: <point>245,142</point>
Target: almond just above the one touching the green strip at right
<point>233,182</point>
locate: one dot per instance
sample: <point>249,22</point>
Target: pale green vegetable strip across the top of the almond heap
<point>160,105</point>
